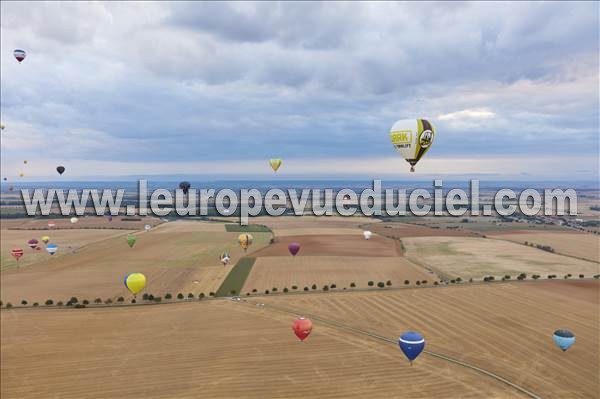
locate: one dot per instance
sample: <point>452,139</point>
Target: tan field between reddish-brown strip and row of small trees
<point>304,271</point>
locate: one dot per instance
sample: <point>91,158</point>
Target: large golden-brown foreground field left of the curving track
<point>206,350</point>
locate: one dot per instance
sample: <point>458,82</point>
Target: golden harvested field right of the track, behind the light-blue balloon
<point>504,328</point>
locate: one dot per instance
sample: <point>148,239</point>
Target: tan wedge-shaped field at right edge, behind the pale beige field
<point>579,245</point>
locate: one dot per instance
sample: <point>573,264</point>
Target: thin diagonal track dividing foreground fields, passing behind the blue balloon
<point>393,341</point>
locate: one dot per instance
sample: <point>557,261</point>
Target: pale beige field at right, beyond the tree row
<point>469,257</point>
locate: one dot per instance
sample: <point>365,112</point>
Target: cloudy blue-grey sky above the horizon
<point>119,89</point>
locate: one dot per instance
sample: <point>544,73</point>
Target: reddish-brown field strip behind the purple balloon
<point>333,245</point>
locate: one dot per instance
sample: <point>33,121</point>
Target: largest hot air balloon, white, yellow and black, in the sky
<point>412,138</point>
